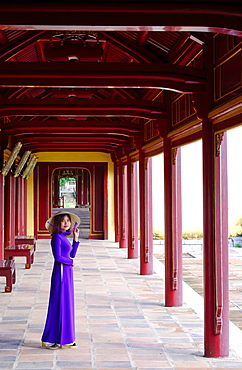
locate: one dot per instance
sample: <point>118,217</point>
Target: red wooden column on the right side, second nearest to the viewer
<point>173,228</point>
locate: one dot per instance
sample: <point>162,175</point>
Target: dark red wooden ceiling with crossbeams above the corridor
<point>66,86</point>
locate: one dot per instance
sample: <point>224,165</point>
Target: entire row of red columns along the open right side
<point>128,184</point>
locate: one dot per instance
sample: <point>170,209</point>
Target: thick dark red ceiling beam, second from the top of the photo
<point>86,75</point>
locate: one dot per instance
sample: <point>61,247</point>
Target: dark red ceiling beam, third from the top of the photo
<point>82,107</point>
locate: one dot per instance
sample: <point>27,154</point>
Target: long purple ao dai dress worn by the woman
<point>60,321</point>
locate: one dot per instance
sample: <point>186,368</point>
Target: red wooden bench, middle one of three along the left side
<point>26,250</point>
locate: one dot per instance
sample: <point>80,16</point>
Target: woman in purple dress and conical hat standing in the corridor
<point>60,327</point>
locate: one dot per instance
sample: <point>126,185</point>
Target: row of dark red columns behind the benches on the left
<point>13,205</point>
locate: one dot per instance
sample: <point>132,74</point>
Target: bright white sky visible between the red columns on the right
<point>192,213</point>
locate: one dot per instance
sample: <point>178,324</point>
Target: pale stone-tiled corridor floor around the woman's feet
<point>121,321</point>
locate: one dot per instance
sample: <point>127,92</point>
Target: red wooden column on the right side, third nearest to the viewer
<point>146,226</point>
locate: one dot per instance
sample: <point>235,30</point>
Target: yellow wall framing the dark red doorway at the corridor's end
<point>76,157</point>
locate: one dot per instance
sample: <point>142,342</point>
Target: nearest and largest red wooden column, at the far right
<point>215,239</point>
